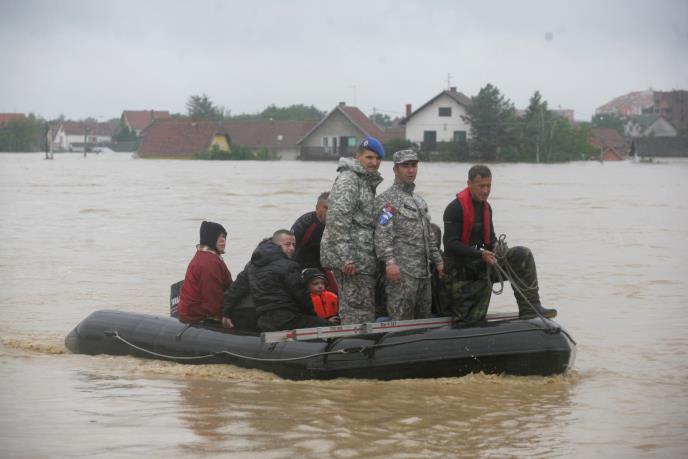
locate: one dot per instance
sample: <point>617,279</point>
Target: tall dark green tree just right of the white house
<point>492,119</point>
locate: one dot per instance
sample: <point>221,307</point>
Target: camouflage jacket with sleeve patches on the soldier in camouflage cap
<point>402,231</point>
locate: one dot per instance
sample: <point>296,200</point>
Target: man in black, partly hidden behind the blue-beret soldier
<point>308,229</point>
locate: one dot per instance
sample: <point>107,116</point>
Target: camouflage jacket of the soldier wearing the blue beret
<point>348,235</point>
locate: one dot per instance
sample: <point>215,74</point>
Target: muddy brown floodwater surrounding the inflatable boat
<point>109,231</point>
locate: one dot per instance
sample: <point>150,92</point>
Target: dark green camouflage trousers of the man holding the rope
<point>466,291</point>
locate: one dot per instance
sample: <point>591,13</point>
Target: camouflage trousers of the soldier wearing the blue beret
<point>356,297</point>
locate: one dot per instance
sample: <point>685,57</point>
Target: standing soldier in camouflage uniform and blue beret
<point>347,243</point>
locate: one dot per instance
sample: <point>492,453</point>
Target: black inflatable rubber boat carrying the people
<point>428,348</point>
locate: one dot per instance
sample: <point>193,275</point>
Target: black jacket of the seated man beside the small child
<point>273,280</point>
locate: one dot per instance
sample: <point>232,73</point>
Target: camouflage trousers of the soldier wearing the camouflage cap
<point>410,298</point>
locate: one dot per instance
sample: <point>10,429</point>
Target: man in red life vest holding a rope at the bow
<point>469,243</point>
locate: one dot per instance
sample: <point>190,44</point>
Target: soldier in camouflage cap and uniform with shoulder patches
<point>405,243</point>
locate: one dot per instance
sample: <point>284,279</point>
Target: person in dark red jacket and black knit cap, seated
<point>206,279</point>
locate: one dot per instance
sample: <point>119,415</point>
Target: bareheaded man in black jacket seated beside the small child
<point>279,294</point>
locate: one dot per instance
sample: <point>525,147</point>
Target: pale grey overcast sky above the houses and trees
<point>97,58</point>
